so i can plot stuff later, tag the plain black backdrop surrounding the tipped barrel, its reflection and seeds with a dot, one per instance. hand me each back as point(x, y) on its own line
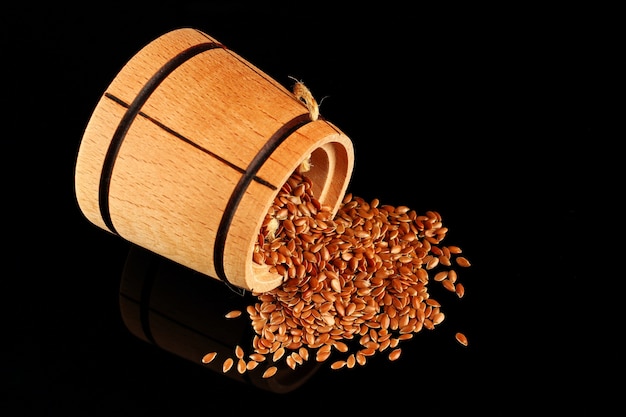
point(496, 118)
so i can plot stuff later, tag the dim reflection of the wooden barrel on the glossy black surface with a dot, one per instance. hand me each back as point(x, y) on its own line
point(183, 312)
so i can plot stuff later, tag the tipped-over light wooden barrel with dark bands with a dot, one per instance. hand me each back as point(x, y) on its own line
point(187, 149)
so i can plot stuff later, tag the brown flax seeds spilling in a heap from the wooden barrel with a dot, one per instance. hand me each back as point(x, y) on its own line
point(355, 282)
